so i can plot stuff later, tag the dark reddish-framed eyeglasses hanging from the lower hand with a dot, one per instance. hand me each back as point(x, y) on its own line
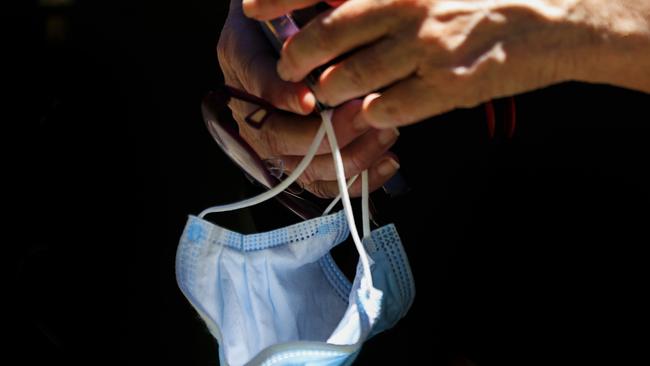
point(269, 172)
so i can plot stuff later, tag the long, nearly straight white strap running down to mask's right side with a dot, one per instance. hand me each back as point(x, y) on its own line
point(345, 197)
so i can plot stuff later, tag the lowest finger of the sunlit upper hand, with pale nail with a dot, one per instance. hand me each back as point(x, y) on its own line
point(406, 102)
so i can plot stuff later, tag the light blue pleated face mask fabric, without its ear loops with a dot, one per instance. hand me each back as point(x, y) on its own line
point(278, 298)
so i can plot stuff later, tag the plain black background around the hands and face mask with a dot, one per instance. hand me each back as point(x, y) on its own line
point(524, 251)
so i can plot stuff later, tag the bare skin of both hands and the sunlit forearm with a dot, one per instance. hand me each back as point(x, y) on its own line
point(428, 57)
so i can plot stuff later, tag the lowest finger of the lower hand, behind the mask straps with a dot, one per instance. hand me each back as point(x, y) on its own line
point(378, 174)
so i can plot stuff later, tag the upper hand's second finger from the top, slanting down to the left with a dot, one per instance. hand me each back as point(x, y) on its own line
point(333, 33)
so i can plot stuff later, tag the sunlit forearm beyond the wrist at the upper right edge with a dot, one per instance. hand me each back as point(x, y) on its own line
point(619, 53)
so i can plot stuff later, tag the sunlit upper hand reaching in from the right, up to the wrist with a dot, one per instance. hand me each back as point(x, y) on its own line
point(427, 57)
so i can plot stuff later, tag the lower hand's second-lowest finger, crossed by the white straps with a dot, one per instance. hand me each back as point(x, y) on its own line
point(357, 157)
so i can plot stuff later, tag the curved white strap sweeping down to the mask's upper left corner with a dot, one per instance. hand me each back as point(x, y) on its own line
point(280, 187)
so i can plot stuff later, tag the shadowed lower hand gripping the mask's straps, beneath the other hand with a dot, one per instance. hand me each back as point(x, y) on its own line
point(248, 63)
